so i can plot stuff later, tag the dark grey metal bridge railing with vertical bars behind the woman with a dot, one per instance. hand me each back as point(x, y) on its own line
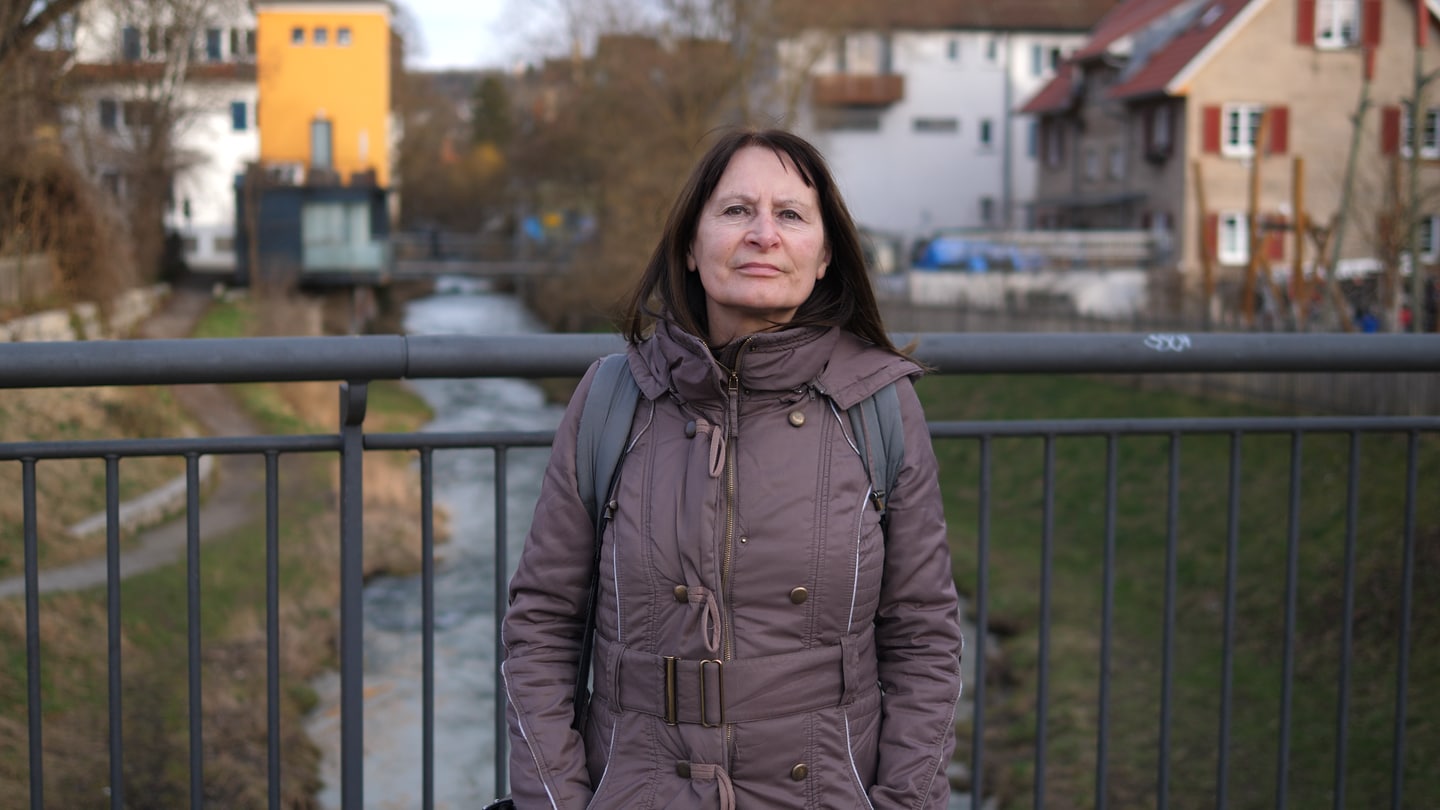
point(358, 361)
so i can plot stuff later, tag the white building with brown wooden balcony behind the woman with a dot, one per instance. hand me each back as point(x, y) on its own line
point(919, 117)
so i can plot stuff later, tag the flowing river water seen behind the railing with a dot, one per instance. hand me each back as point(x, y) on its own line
point(464, 584)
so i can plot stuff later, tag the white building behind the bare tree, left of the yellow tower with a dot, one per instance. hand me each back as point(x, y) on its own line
point(130, 66)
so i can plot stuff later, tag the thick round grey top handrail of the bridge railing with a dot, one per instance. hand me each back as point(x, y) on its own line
point(369, 358)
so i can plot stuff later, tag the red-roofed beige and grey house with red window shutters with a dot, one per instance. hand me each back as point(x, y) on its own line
point(1228, 122)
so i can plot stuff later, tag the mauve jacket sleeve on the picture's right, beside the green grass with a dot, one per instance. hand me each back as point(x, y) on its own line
point(918, 631)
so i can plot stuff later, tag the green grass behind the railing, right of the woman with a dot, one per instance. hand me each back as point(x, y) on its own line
point(1140, 543)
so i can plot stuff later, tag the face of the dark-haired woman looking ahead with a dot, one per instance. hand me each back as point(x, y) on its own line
point(760, 246)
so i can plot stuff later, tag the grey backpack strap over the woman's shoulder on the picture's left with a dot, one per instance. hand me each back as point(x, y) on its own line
point(606, 423)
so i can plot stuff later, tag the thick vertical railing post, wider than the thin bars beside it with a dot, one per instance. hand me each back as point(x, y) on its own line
point(352, 603)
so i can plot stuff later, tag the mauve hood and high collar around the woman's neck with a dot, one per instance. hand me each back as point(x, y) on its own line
point(829, 360)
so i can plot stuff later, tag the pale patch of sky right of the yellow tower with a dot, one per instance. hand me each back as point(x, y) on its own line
point(464, 34)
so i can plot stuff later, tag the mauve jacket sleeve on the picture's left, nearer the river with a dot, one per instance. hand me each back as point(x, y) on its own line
point(542, 635)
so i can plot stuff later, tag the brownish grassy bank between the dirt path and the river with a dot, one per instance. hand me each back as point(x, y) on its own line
point(233, 628)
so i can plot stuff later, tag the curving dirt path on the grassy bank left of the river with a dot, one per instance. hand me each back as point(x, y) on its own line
point(233, 505)
